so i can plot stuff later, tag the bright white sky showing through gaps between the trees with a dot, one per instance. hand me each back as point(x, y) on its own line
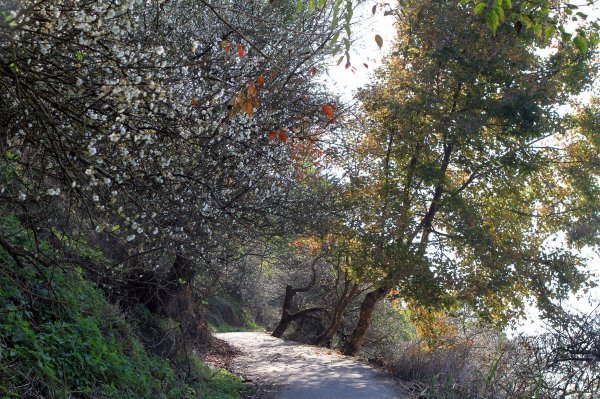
point(346, 81)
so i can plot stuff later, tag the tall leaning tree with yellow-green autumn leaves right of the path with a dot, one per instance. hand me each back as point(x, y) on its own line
point(464, 170)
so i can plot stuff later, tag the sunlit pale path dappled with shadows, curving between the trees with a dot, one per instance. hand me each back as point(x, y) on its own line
point(294, 371)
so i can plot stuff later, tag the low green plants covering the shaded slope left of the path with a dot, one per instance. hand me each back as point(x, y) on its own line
point(59, 336)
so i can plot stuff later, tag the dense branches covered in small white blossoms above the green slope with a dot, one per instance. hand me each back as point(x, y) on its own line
point(133, 131)
